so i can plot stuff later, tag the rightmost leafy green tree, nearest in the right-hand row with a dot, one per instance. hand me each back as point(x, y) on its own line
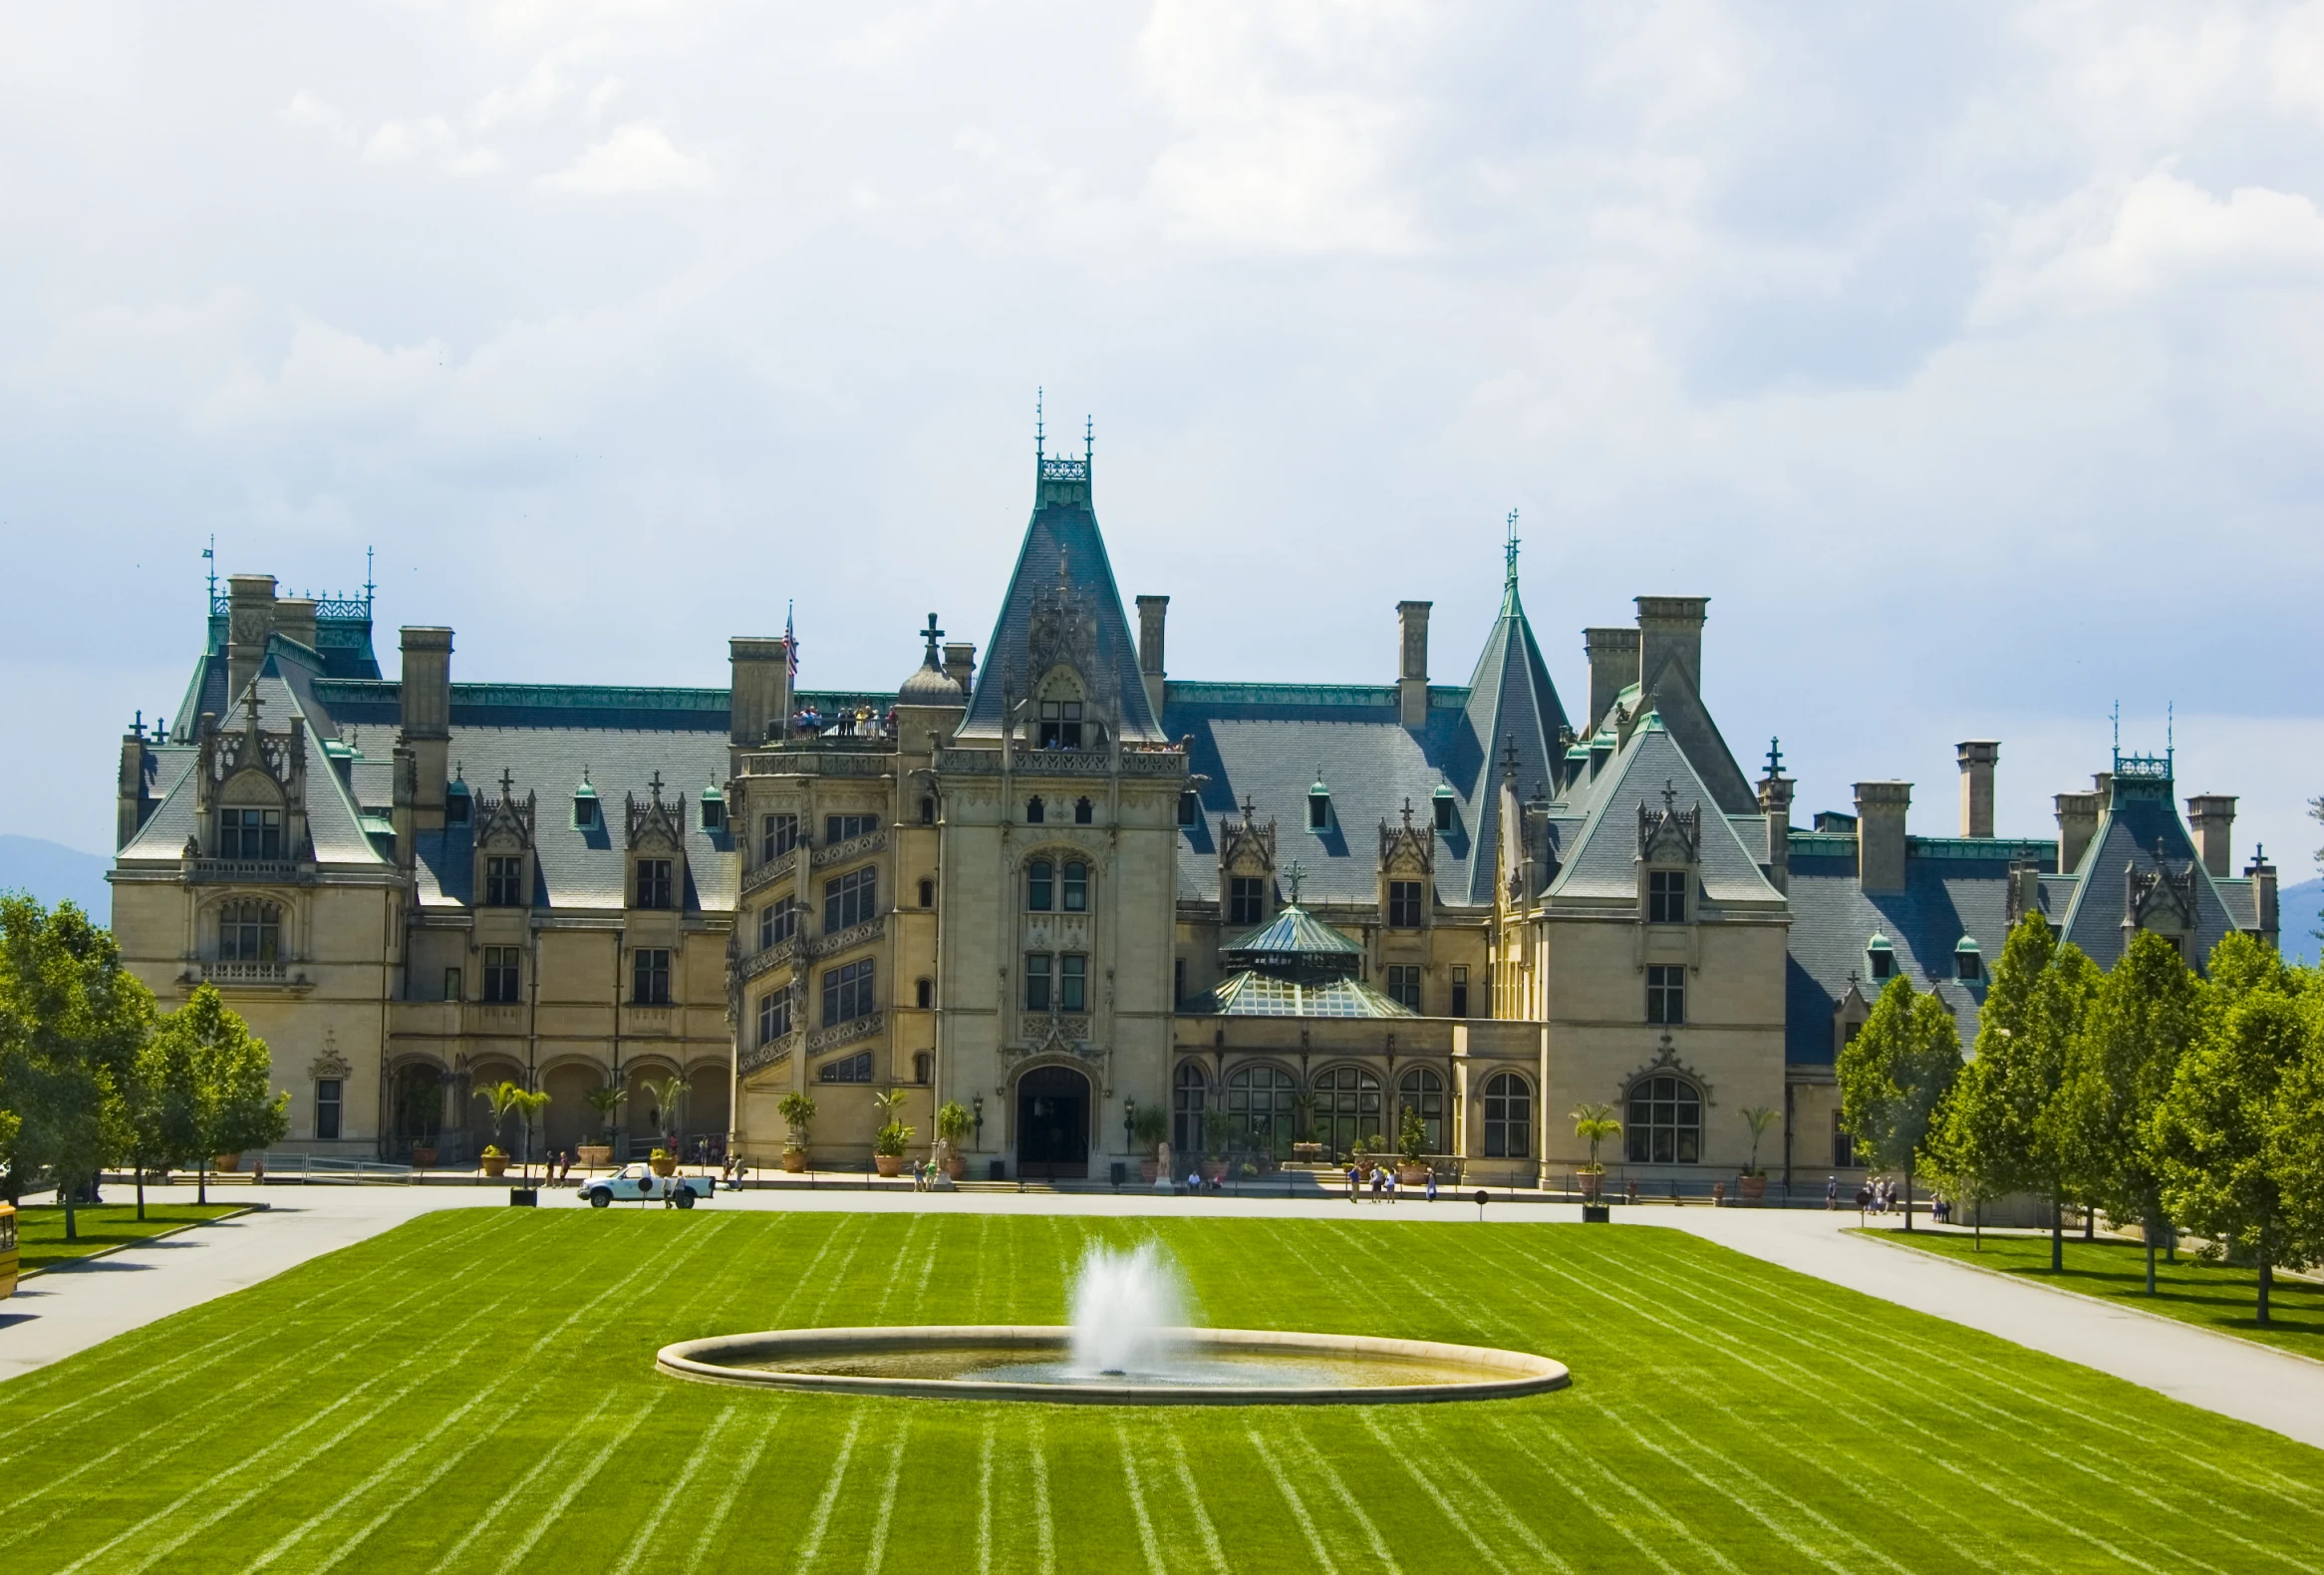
point(2221, 1128)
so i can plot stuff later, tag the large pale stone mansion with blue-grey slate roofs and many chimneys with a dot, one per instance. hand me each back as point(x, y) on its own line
point(1059, 886)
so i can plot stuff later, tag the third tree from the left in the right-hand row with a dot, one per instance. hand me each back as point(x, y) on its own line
point(2142, 1023)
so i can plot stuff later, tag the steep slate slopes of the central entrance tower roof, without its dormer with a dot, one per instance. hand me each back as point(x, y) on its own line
point(1063, 538)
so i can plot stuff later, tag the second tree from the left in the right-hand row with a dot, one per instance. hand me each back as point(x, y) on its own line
point(2004, 1128)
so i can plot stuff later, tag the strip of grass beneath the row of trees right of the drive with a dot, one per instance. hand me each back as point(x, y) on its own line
point(2211, 1295)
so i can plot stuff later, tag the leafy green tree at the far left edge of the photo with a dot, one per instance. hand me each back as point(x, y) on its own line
point(71, 1023)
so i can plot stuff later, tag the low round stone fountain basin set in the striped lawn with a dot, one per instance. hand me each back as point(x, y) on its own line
point(1205, 1367)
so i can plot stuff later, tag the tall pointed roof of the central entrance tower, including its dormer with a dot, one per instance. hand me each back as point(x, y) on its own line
point(1063, 638)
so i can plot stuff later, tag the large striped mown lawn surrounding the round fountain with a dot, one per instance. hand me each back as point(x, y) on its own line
point(475, 1393)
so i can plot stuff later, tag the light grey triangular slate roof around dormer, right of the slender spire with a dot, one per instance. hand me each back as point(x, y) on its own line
point(1600, 863)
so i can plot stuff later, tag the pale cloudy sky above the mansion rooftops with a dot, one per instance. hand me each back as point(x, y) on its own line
point(1972, 359)
